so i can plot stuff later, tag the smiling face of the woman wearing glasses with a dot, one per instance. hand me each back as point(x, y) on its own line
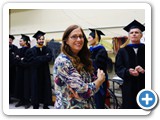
point(75, 40)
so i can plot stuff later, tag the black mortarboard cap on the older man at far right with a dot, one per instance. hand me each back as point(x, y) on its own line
point(134, 24)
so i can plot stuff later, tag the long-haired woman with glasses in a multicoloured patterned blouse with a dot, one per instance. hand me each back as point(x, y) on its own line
point(75, 83)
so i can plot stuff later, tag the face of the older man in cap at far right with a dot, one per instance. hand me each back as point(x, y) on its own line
point(135, 35)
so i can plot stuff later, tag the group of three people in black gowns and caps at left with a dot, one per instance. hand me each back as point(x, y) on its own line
point(29, 78)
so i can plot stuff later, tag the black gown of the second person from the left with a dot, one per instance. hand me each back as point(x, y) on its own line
point(22, 84)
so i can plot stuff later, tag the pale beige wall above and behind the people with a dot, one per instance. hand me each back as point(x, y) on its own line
point(54, 22)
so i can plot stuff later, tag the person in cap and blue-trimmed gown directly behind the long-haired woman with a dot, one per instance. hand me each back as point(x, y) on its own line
point(99, 58)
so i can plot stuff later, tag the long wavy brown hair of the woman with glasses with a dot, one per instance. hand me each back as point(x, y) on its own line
point(82, 60)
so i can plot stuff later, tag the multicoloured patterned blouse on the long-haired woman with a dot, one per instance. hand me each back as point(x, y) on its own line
point(64, 75)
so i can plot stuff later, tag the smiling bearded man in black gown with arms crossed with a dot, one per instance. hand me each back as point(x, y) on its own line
point(39, 57)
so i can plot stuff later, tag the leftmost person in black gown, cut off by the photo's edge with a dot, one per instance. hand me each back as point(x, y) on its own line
point(13, 50)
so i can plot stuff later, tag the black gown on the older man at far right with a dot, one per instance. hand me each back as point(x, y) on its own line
point(125, 59)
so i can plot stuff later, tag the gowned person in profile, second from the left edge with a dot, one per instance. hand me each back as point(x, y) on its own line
point(22, 84)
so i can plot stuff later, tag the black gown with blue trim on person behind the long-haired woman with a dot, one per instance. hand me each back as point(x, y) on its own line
point(99, 58)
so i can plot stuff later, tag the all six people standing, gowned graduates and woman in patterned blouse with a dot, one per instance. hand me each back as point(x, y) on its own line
point(79, 74)
